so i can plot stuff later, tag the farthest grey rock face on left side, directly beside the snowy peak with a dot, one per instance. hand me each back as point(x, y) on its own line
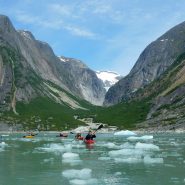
point(82, 80)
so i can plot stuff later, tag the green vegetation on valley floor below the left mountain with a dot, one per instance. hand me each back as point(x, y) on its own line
point(46, 113)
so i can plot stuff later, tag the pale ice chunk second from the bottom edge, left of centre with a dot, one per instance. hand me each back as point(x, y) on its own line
point(78, 174)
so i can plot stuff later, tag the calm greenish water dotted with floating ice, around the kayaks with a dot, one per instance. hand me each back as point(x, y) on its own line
point(120, 160)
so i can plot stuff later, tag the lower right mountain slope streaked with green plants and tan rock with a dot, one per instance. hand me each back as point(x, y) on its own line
point(166, 97)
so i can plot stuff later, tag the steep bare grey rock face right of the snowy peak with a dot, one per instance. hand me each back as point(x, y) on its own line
point(153, 62)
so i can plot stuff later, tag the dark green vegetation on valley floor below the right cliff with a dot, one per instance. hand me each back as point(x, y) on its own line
point(124, 115)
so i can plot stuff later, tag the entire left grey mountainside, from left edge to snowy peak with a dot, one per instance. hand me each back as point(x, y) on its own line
point(29, 68)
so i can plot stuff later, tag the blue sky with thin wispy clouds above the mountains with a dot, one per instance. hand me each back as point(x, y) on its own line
point(104, 34)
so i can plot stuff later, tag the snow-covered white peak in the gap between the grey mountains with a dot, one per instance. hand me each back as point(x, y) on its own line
point(109, 78)
